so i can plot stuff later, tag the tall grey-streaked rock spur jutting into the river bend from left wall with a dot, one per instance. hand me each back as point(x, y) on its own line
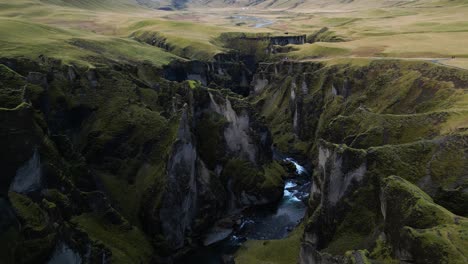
point(199, 191)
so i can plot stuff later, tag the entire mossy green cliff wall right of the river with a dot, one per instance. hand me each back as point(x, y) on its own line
point(360, 124)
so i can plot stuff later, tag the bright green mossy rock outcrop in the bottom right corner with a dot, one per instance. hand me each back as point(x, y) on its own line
point(417, 229)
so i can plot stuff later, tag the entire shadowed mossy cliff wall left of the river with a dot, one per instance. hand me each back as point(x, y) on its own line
point(116, 163)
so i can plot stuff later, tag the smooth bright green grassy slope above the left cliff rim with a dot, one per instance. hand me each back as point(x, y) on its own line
point(30, 40)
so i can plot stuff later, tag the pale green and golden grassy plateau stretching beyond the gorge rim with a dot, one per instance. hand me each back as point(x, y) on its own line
point(429, 30)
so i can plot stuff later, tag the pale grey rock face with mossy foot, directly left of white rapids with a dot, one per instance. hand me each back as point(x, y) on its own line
point(248, 150)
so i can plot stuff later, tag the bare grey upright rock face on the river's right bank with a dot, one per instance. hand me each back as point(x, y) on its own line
point(341, 170)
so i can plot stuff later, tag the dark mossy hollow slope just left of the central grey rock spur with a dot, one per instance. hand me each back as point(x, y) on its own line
point(129, 143)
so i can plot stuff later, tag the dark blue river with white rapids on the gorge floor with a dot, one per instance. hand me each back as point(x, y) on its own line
point(258, 223)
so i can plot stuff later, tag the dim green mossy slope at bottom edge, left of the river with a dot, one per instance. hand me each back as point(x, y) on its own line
point(127, 245)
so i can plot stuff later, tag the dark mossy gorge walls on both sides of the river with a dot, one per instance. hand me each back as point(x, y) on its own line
point(130, 163)
